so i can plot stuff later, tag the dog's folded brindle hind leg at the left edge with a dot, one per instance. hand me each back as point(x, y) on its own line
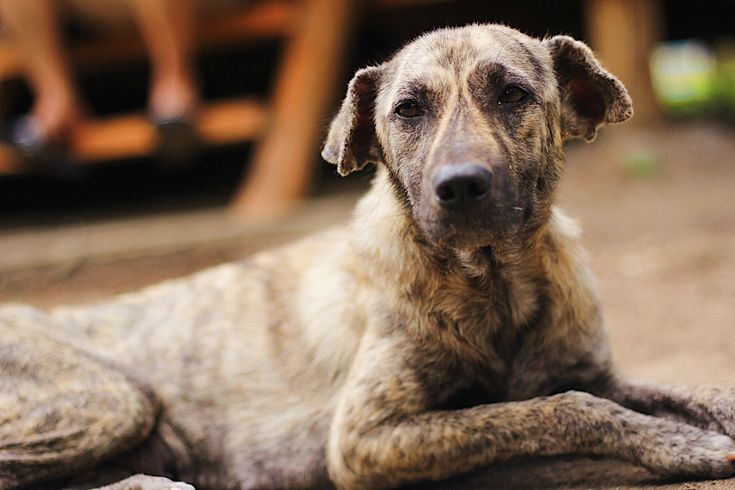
point(62, 410)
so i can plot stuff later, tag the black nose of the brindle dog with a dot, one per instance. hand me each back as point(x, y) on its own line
point(462, 183)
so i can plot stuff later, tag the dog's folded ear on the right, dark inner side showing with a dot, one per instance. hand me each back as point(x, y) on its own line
point(590, 96)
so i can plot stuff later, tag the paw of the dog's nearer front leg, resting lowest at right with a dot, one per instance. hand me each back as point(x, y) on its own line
point(691, 452)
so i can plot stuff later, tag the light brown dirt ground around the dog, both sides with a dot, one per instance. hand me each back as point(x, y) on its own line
point(658, 211)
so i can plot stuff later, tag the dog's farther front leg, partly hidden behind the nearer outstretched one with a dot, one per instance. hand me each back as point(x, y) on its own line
point(707, 407)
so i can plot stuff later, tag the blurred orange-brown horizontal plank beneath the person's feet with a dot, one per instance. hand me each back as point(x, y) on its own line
point(133, 135)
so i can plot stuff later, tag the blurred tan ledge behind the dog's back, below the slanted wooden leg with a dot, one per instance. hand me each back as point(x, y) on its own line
point(137, 251)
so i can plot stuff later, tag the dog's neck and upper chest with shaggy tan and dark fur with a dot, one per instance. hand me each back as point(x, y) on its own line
point(502, 293)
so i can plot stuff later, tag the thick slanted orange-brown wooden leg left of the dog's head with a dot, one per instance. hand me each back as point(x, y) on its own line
point(282, 165)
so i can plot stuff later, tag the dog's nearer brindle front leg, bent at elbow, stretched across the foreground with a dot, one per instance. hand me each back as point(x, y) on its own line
point(385, 432)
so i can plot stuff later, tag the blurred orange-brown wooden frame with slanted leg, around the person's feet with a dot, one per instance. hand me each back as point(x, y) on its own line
point(288, 129)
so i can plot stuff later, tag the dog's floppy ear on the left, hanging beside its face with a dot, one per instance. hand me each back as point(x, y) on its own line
point(351, 143)
